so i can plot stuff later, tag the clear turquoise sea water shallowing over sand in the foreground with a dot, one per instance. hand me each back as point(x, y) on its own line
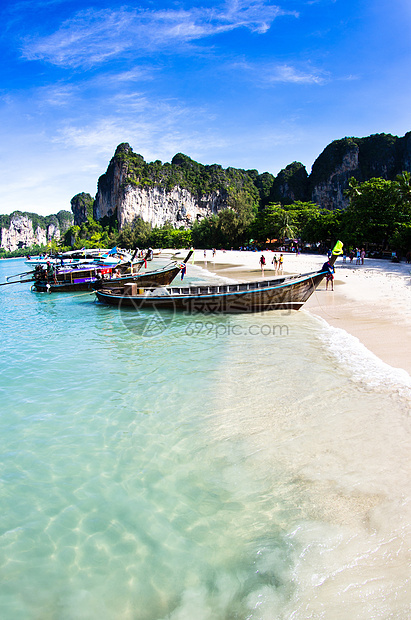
point(207, 468)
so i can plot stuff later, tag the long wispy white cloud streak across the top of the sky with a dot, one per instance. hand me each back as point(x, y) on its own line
point(92, 37)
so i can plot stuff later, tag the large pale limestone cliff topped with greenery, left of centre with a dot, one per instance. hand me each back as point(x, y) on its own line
point(181, 192)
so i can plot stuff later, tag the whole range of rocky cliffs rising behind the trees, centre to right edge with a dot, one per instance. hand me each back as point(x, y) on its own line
point(185, 191)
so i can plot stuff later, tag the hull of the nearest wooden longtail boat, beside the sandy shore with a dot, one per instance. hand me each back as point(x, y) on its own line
point(280, 294)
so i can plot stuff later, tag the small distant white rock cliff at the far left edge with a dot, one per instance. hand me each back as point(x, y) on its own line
point(23, 230)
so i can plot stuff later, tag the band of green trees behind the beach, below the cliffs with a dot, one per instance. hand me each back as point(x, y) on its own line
point(378, 218)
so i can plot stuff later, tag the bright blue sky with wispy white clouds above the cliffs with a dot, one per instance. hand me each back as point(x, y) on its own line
point(244, 84)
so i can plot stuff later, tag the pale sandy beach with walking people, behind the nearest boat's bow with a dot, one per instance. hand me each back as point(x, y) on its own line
point(371, 301)
